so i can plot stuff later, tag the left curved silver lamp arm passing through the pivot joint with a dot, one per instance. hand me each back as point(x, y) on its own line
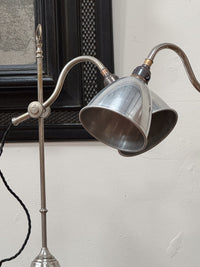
point(104, 71)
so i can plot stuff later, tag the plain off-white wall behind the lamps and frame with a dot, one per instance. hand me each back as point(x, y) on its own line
point(106, 210)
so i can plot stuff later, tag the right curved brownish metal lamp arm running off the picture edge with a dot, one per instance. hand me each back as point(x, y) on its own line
point(182, 55)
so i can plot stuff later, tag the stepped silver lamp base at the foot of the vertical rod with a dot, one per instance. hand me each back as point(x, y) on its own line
point(45, 259)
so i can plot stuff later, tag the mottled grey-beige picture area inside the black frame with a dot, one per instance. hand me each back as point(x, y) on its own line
point(17, 26)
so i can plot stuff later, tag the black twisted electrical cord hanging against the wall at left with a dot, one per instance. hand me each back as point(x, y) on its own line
point(18, 199)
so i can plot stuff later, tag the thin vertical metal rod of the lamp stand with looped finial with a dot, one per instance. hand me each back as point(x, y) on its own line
point(43, 209)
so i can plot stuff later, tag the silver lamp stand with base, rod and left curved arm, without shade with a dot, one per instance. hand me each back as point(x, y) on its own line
point(40, 110)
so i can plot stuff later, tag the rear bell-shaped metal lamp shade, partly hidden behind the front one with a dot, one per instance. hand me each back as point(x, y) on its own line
point(162, 123)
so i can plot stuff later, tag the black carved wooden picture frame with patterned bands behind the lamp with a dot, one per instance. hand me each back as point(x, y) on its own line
point(70, 28)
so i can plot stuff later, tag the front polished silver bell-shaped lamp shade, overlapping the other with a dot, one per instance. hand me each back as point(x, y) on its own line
point(120, 115)
